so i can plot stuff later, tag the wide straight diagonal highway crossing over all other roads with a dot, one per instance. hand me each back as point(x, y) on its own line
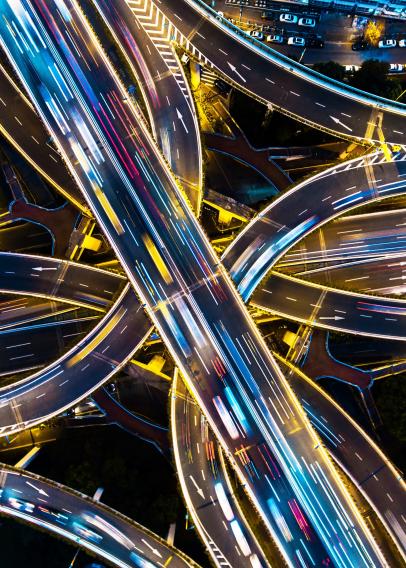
point(135, 180)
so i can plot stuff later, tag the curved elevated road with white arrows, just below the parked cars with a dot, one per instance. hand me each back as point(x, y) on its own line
point(191, 17)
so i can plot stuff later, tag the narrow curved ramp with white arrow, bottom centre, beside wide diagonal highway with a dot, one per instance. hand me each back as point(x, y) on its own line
point(208, 515)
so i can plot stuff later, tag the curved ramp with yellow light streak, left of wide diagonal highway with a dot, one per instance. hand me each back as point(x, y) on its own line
point(61, 385)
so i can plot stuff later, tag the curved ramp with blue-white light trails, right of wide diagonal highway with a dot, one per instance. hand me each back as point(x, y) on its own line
point(271, 233)
